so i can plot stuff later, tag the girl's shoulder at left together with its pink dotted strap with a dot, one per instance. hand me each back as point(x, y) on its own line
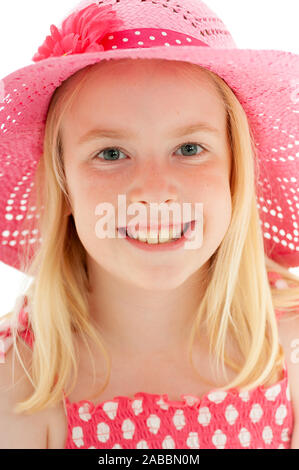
point(18, 430)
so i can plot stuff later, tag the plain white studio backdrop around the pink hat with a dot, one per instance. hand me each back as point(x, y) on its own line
point(253, 24)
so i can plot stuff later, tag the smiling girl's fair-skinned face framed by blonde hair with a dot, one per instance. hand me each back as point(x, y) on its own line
point(150, 166)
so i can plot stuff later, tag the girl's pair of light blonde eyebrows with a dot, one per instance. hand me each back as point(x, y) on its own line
point(122, 133)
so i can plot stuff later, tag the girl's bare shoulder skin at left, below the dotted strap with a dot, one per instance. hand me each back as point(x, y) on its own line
point(19, 430)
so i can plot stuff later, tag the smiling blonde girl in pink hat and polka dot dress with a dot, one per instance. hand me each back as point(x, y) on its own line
point(117, 343)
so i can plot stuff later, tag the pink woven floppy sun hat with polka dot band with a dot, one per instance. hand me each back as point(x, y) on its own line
point(264, 81)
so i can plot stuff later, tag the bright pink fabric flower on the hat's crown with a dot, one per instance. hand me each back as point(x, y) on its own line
point(82, 31)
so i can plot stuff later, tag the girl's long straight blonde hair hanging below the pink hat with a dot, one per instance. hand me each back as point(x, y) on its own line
point(238, 300)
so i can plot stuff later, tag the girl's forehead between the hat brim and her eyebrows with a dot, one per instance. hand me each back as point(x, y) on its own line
point(148, 91)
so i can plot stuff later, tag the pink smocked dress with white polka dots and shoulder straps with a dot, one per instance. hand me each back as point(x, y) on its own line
point(259, 419)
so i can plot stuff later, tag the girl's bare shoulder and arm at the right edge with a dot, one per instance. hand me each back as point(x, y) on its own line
point(288, 328)
